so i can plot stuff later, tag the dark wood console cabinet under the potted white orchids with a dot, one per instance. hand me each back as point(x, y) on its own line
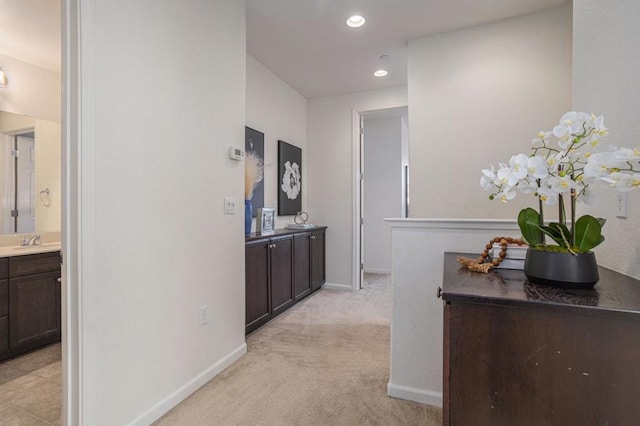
point(517, 353)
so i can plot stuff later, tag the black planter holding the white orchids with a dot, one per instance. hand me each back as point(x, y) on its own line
point(564, 270)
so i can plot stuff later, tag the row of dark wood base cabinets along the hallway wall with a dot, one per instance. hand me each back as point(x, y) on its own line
point(281, 269)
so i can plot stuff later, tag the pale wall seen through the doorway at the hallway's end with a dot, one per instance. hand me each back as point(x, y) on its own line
point(382, 189)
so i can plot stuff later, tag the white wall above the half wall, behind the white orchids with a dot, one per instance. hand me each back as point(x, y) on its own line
point(478, 96)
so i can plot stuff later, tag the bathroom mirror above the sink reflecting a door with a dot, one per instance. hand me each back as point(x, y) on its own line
point(30, 174)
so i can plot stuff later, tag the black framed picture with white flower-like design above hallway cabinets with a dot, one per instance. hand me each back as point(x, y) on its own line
point(289, 179)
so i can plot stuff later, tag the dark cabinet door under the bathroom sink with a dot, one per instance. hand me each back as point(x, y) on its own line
point(34, 310)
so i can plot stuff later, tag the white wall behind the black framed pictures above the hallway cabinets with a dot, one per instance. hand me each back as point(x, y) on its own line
point(278, 111)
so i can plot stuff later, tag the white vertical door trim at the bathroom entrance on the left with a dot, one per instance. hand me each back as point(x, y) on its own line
point(77, 255)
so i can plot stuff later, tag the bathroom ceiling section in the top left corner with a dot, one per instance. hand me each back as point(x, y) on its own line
point(30, 31)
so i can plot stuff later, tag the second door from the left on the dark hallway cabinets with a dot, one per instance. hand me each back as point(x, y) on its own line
point(281, 274)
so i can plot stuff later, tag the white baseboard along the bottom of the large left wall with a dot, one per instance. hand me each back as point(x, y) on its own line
point(162, 407)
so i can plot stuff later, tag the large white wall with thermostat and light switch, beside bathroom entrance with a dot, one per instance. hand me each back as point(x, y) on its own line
point(162, 96)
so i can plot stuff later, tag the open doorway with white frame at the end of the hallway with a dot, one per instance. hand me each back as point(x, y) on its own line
point(381, 189)
